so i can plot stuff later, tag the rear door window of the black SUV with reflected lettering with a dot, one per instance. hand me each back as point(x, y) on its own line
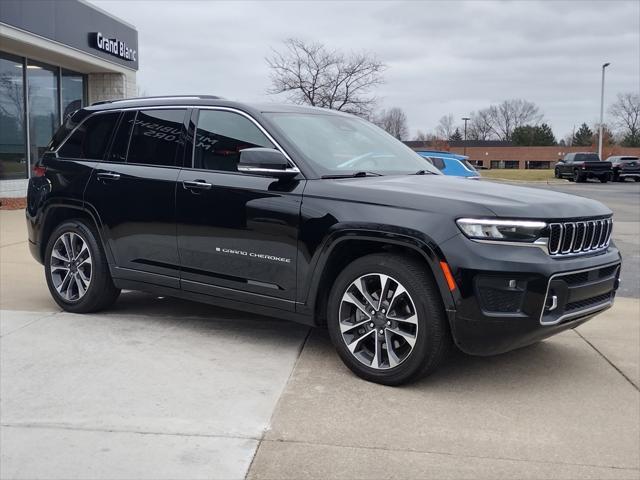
point(156, 137)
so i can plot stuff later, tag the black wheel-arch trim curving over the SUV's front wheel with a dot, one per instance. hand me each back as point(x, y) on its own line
point(387, 235)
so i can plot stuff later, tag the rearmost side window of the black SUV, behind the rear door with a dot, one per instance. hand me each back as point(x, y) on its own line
point(91, 139)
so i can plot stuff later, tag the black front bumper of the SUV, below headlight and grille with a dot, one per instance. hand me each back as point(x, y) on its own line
point(512, 296)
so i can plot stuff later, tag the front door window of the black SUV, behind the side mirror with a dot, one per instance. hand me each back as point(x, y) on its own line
point(220, 136)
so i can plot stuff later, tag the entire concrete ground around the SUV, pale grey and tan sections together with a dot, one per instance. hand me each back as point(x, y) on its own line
point(163, 388)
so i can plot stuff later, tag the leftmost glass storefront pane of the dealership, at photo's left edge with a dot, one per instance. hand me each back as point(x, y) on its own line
point(13, 152)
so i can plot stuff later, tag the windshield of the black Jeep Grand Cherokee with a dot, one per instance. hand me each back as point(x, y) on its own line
point(336, 144)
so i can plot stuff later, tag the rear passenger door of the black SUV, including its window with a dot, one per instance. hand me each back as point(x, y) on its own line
point(133, 193)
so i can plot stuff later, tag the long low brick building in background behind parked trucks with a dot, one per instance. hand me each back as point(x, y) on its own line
point(534, 154)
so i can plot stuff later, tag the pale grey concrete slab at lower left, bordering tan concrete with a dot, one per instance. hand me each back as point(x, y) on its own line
point(129, 396)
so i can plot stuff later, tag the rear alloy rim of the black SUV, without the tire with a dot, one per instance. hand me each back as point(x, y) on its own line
point(71, 266)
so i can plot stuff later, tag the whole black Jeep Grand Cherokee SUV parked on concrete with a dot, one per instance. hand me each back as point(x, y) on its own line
point(314, 216)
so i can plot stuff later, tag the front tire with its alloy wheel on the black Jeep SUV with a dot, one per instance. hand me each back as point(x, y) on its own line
point(422, 321)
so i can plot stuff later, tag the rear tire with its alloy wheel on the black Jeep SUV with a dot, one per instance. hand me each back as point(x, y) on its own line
point(85, 269)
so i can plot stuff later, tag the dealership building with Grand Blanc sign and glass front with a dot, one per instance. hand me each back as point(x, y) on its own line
point(55, 57)
